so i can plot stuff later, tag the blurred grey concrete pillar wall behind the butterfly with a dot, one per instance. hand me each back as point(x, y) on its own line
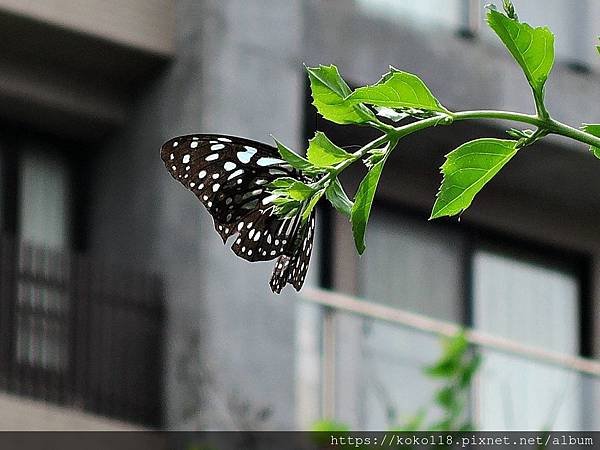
point(228, 77)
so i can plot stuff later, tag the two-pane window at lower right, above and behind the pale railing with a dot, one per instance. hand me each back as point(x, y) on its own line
point(450, 273)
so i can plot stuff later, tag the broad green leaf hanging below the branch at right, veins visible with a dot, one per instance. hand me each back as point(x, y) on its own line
point(467, 169)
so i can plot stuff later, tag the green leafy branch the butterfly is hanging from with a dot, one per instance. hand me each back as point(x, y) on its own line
point(398, 96)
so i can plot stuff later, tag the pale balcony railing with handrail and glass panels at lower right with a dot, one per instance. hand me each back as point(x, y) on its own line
point(372, 356)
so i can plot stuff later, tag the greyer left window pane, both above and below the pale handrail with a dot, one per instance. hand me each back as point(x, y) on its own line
point(411, 265)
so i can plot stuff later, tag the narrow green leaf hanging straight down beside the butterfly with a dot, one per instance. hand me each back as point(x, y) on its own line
point(363, 201)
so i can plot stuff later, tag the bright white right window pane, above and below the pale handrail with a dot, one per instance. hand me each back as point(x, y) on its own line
point(534, 305)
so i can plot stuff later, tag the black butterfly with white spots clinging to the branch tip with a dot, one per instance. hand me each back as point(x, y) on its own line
point(230, 176)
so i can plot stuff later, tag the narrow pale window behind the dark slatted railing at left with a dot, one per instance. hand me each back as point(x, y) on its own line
point(42, 290)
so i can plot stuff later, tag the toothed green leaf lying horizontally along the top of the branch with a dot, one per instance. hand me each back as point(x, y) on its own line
point(398, 89)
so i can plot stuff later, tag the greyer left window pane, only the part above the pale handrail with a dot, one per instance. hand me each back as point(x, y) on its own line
point(413, 265)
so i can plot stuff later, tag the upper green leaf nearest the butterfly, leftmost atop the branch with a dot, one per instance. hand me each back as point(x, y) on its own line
point(329, 92)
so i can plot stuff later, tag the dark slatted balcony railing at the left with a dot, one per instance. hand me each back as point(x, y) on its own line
point(79, 333)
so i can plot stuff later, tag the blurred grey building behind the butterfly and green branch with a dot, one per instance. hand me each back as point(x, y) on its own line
point(121, 309)
